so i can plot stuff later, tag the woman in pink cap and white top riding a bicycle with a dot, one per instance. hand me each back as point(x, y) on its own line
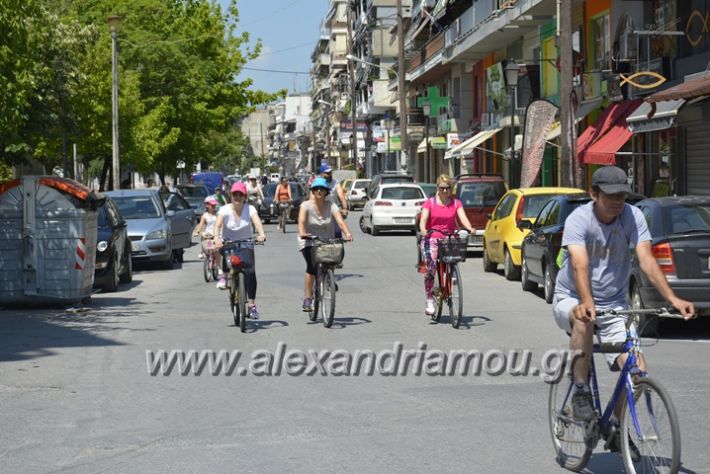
point(234, 222)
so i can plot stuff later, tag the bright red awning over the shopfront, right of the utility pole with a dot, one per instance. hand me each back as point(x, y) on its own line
point(612, 121)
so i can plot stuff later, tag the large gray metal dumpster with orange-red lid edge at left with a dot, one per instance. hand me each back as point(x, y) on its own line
point(47, 241)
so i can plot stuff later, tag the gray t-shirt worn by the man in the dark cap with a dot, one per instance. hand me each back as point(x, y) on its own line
point(608, 249)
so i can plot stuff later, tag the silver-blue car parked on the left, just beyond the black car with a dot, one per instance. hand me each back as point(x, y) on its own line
point(158, 232)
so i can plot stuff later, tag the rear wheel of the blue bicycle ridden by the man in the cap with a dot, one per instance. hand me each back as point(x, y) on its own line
point(568, 435)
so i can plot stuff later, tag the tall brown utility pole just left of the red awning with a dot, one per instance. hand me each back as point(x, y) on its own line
point(568, 156)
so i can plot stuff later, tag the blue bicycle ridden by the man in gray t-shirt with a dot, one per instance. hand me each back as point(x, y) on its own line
point(649, 430)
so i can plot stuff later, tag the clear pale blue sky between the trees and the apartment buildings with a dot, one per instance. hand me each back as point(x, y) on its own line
point(288, 30)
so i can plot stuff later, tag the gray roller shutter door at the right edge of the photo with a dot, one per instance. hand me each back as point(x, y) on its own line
point(698, 157)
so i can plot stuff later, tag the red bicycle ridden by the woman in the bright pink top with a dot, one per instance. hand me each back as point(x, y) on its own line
point(448, 286)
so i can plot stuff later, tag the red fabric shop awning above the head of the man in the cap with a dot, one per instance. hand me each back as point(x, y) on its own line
point(613, 117)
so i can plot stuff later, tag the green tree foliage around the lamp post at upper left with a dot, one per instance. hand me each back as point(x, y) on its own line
point(179, 99)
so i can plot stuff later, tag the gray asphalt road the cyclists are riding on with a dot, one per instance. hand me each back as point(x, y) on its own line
point(76, 394)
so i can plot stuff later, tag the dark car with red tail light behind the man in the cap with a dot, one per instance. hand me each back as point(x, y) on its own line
point(680, 241)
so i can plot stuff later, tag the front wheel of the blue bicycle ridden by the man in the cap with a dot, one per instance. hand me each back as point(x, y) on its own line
point(658, 438)
